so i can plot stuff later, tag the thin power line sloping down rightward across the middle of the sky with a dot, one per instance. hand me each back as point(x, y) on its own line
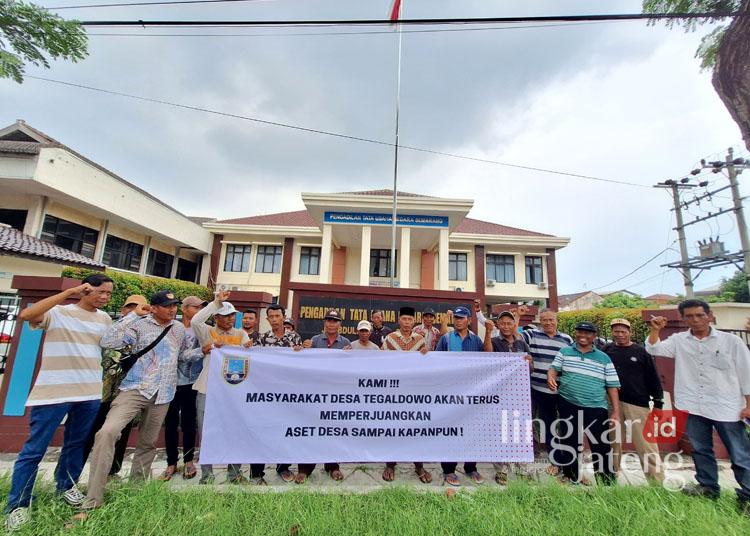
point(333, 134)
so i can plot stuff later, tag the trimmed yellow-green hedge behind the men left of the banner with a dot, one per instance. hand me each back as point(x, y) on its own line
point(128, 284)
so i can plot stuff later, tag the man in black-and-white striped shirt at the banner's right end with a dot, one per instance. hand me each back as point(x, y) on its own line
point(543, 347)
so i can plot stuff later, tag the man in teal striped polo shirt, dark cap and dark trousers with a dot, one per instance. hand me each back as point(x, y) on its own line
point(587, 378)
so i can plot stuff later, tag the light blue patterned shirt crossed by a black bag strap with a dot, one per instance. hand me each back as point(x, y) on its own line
point(155, 373)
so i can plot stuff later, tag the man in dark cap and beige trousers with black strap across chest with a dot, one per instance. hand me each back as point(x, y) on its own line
point(147, 389)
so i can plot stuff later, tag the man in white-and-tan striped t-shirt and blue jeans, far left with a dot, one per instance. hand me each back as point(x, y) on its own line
point(68, 387)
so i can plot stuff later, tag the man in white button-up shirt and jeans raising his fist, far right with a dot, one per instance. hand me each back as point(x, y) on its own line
point(712, 383)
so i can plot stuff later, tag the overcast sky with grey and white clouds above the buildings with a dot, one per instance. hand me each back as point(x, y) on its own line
point(622, 101)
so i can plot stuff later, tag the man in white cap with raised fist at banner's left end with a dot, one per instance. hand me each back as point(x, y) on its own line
point(223, 334)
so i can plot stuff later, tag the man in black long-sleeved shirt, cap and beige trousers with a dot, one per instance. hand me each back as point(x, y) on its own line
point(640, 386)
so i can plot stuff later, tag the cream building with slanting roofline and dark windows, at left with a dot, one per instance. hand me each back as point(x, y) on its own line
point(53, 194)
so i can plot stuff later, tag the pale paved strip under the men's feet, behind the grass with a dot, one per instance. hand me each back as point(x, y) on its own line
point(363, 478)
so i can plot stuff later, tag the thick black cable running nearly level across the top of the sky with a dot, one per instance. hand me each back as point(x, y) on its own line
point(409, 22)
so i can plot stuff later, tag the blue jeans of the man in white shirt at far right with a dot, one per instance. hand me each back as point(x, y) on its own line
point(734, 437)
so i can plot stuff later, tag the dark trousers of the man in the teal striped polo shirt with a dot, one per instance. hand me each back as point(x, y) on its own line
point(568, 442)
